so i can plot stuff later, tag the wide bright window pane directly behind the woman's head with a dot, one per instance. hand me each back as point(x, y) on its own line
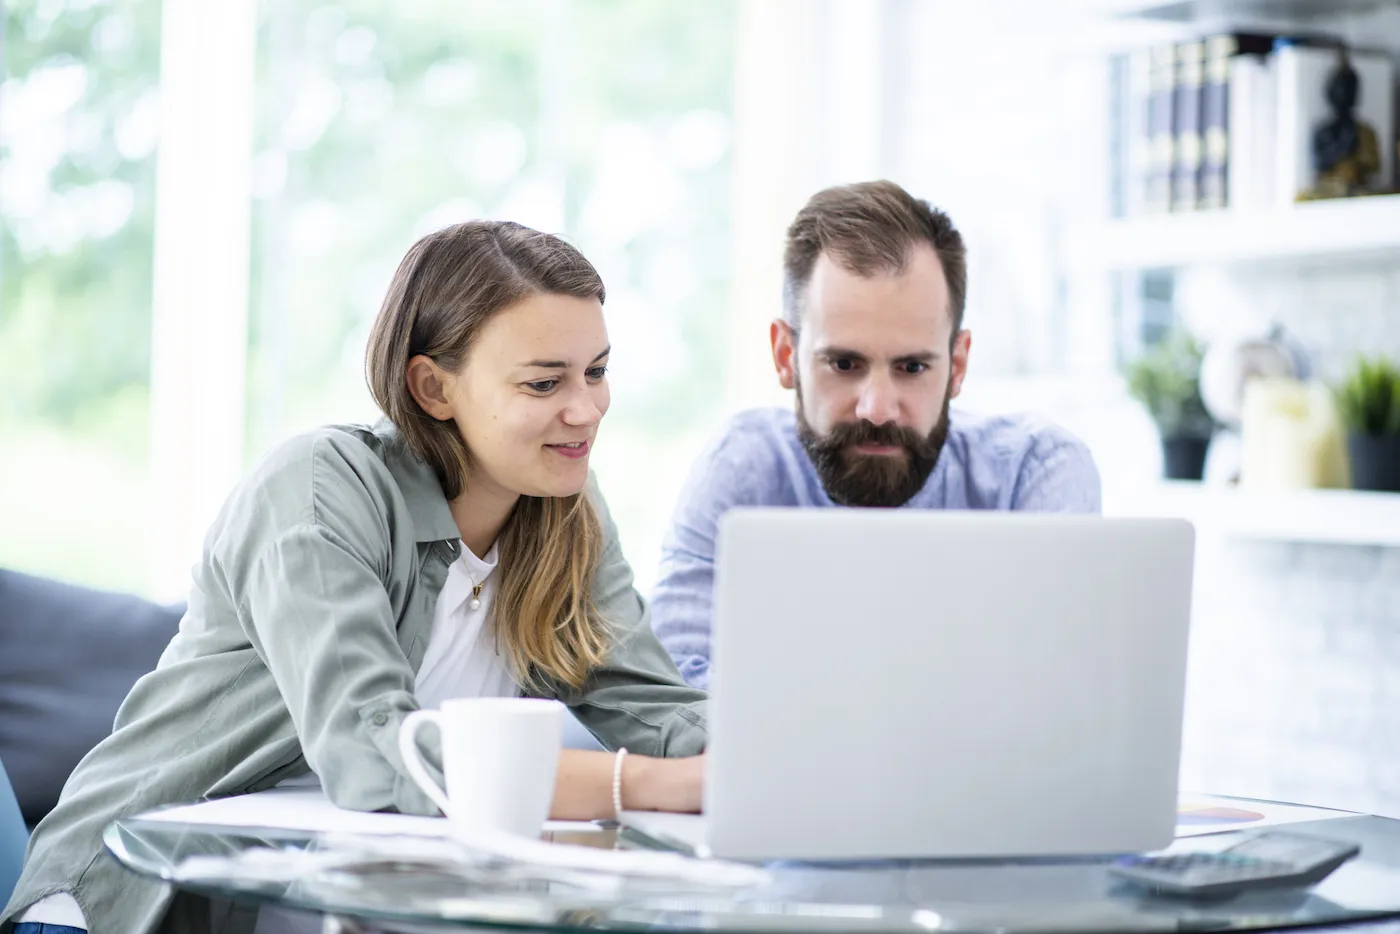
point(601, 120)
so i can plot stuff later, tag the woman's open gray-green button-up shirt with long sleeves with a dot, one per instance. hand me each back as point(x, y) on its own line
point(309, 618)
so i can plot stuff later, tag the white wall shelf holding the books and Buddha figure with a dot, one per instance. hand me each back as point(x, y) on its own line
point(1357, 226)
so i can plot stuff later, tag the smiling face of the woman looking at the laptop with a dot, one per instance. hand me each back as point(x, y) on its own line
point(531, 396)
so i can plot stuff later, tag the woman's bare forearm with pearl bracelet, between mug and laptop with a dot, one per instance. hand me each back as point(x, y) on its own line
point(583, 790)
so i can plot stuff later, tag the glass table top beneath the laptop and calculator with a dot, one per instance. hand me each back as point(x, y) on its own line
point(416, 883)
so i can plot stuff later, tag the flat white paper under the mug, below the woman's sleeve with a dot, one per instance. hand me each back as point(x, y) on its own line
point(310, 810)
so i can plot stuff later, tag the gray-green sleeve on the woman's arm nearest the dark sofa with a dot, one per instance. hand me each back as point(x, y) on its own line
point(309, 569)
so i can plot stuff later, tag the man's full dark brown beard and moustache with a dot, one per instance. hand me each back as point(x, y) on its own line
point(873, 480)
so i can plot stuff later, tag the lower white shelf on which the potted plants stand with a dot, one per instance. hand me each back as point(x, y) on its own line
point(1340, 517)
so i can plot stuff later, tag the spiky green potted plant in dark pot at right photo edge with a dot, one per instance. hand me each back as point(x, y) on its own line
point(1368, 401)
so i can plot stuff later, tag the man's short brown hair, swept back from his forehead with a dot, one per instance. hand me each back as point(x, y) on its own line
point(869, 229)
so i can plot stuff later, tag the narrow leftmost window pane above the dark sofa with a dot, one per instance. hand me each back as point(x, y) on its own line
point(79, 127)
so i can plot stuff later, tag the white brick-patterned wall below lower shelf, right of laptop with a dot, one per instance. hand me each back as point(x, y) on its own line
point(1296, 674)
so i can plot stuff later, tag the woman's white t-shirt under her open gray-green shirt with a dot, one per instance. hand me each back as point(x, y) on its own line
point(461, 662)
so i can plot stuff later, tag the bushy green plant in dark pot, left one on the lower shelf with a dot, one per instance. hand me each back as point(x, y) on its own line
point(1167, 380)
